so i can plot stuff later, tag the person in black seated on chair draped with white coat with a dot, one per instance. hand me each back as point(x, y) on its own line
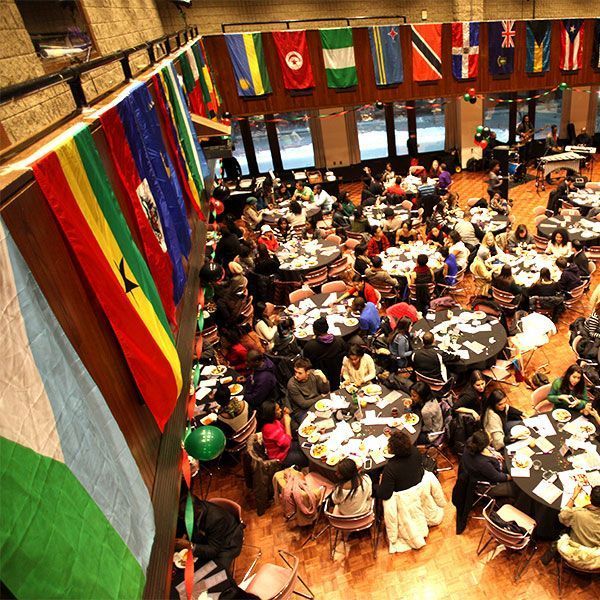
point(403, 471)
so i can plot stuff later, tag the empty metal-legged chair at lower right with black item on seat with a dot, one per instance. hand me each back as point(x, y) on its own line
point(519, 542)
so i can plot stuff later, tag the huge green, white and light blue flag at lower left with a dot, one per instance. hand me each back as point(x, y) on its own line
point(77, 520)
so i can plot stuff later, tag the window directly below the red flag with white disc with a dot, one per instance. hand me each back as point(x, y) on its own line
point(295, 140)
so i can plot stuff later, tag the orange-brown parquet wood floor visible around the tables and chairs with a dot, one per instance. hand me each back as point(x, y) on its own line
point(447, 567)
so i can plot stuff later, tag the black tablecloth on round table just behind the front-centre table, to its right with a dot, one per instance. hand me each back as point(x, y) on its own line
point(488, 356)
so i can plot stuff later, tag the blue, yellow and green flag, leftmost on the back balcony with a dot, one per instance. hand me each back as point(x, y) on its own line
point(249, 65)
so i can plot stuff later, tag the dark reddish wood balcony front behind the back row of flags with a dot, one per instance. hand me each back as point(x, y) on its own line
point(366, 92)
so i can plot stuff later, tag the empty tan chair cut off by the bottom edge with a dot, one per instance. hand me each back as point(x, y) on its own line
point(274, 582)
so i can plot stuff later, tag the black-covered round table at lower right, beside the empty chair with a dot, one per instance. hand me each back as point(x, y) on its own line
point(545, 514)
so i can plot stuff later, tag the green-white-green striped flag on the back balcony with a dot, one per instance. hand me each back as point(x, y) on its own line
point(338, 56)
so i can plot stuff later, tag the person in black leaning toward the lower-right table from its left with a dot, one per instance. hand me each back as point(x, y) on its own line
point(483, 463)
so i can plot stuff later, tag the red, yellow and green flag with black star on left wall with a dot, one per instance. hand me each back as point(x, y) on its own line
point(72, 178)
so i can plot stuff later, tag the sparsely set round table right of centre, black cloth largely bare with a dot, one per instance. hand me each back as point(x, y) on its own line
point(491, 349)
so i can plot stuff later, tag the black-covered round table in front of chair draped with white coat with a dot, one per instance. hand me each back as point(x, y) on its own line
point(366, 431)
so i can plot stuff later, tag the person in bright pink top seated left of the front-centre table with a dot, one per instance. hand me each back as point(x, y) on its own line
point(277, 436)
